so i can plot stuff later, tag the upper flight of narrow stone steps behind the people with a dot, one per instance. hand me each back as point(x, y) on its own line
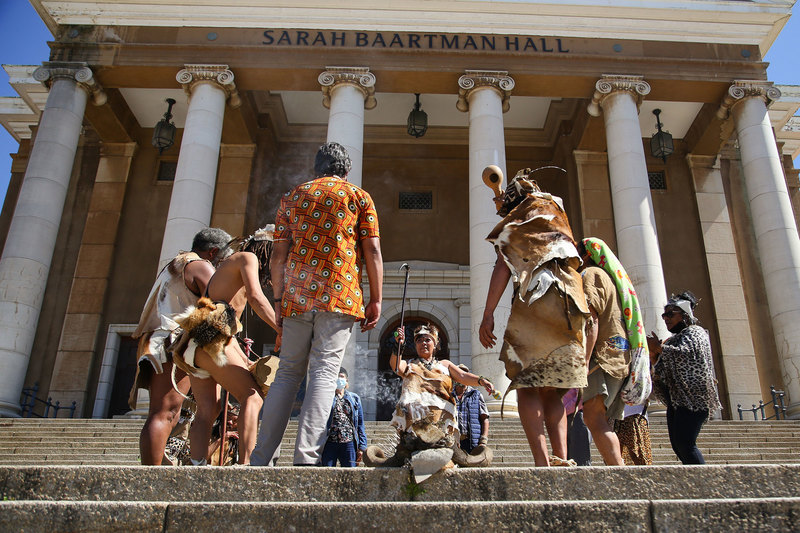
point(31, 442)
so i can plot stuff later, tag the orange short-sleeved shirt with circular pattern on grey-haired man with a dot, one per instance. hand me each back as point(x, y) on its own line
point(324, 220)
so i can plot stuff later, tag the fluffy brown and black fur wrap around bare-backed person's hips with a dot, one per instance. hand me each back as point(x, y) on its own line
point(208, 325)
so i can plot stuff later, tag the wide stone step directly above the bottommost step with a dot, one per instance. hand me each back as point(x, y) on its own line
point(317, 484)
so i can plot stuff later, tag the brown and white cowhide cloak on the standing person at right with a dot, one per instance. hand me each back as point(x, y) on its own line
point(544, 342)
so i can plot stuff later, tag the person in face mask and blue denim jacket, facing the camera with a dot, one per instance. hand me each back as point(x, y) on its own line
point(347, 437)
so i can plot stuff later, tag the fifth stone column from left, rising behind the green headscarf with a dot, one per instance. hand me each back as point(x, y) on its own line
point(618, 97)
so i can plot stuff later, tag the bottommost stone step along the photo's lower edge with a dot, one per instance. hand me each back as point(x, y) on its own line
point(771, 514)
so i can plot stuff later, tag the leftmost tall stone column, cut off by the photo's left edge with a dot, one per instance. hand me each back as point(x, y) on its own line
point(28, 251)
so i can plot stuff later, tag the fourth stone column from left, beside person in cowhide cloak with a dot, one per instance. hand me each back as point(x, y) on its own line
point(485, 95)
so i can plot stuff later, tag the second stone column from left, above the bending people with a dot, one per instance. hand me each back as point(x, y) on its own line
point(208, 87)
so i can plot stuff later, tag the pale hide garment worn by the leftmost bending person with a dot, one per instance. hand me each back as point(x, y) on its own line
point(168, 297)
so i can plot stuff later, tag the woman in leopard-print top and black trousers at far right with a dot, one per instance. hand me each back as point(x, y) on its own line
point(683, 376)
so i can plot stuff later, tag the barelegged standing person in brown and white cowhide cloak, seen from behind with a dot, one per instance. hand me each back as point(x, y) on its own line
point(543, 345)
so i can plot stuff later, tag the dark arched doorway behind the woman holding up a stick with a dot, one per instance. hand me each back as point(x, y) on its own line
point(389, 384)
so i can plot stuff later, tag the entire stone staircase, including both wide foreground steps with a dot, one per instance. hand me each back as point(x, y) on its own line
point(751, 484)
